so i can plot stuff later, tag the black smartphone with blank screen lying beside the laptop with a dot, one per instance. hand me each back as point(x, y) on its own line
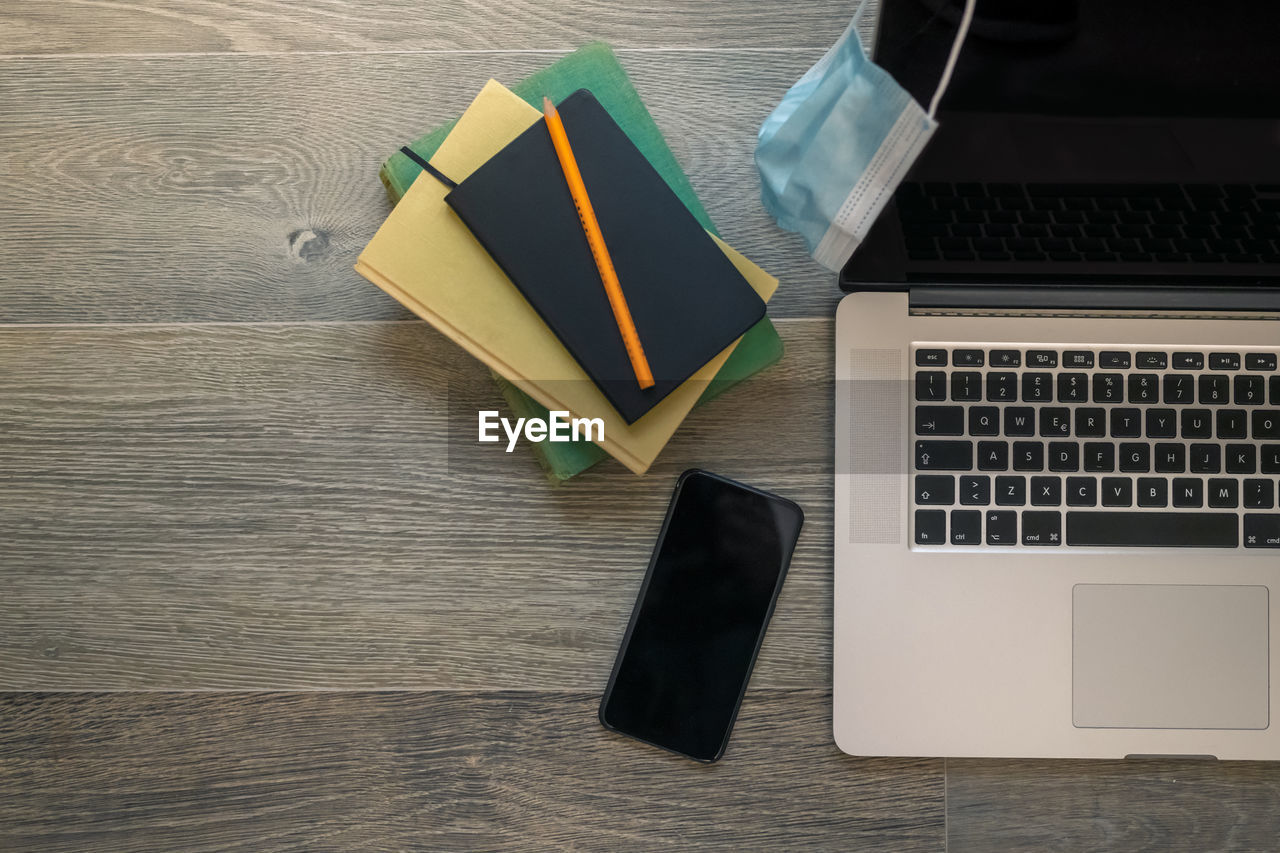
point(701, 615)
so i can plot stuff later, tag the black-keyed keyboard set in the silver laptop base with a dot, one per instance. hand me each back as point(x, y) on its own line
point(1107, 448)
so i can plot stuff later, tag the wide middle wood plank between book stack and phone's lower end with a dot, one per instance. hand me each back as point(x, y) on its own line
point(281, 507)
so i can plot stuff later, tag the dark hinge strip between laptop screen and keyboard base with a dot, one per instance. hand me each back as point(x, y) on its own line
point(1092, 299)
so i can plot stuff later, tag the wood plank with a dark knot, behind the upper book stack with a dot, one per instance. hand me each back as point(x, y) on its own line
point(244, 188)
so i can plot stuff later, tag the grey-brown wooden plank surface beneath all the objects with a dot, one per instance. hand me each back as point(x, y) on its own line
point(255, 599)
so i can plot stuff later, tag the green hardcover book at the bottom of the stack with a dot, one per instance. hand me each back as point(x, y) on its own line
point(597, 69)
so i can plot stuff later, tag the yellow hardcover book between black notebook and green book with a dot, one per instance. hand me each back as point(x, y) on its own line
point(428, 261)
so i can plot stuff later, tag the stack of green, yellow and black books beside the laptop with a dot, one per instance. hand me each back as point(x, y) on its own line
point(486, 244)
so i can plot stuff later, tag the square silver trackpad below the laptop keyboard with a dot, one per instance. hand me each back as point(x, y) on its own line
point(1171, 658)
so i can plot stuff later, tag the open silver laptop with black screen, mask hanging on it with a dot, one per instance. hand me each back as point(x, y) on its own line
point(1058, 399)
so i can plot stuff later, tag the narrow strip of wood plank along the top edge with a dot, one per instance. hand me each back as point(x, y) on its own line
point(221, 26)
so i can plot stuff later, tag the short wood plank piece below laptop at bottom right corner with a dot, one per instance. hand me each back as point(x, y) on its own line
point(1135, 806)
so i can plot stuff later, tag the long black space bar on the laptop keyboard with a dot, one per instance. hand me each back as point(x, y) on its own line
point(1154, 530)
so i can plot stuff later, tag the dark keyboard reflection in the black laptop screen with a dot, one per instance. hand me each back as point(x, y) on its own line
point(1100, 223)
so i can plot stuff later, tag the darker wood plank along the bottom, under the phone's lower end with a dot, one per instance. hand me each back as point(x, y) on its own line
point(437, 772)
